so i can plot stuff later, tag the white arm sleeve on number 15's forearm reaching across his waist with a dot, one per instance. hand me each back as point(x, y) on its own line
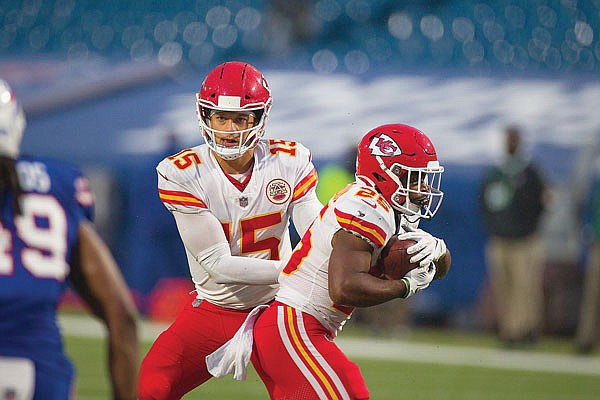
point(203, 237)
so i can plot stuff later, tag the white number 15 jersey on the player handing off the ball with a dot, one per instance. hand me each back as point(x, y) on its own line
point(255, 220)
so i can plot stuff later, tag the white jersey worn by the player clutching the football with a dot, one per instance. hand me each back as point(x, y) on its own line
point(304, 281)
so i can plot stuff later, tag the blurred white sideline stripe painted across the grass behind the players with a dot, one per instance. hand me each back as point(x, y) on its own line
point(389, 349)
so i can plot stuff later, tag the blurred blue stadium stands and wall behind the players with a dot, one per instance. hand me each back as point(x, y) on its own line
point(110, 87)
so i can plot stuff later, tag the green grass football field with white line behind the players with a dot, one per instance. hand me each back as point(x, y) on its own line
point(456, 366)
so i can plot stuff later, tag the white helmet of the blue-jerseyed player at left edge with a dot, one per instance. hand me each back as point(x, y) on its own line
point(12, 122)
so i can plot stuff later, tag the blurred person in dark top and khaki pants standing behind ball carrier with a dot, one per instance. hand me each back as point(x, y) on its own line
point(512, 199)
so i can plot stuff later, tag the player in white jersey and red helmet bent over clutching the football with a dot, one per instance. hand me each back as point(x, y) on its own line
point(398, 177)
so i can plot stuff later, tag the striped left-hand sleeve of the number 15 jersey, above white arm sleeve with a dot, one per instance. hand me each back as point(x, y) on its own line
point(179, 189)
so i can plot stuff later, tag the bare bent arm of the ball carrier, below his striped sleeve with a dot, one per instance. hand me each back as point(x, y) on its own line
point(350, 283)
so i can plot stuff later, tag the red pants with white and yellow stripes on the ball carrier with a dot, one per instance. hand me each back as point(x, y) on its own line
point(296, 358)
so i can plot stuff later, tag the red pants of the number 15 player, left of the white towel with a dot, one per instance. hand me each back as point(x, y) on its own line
point(175, 364)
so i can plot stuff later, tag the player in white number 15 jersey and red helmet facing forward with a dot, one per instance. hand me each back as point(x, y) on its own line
point(232, 198)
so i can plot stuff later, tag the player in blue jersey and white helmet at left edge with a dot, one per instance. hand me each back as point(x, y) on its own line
point(47, 239)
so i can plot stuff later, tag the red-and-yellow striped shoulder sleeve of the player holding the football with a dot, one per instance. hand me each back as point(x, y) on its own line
point(362, 215)
